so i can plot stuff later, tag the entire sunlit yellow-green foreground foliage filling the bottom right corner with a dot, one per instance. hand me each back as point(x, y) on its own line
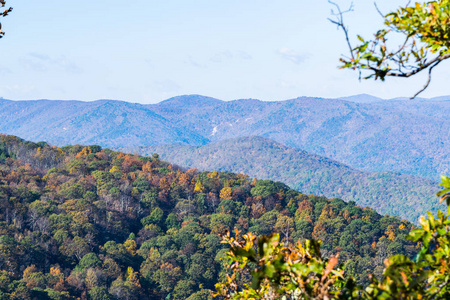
point(278, 271)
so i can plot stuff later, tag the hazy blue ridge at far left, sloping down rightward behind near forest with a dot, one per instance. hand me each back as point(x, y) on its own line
point(103, 122)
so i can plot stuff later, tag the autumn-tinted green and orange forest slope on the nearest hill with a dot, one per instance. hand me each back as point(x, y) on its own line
point(82, 222)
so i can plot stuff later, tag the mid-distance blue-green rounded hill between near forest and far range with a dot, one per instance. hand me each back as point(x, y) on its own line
point(389, 193)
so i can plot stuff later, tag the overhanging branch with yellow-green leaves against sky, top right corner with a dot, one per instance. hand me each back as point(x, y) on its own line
point(423, 28)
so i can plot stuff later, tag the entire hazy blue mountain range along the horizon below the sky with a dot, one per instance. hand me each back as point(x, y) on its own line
point(399, 135)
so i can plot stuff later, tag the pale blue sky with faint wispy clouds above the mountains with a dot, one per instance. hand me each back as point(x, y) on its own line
point(147, 51)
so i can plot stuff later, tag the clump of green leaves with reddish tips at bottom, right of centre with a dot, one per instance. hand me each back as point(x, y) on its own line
point(278, 271)
